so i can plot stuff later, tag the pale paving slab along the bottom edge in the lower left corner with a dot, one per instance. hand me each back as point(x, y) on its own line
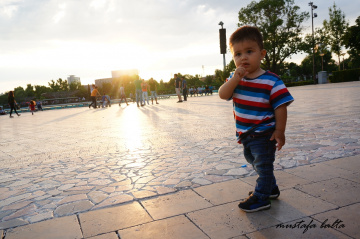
point(48, 229)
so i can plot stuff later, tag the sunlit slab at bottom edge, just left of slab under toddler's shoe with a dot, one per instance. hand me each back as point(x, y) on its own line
point(171, 228)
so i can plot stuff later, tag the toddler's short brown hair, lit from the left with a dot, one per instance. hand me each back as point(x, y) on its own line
point(246, 33)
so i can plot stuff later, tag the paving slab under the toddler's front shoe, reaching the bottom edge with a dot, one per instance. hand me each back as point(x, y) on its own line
point(230, 221)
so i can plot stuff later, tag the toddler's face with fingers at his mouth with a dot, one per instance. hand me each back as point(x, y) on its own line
point(248, 54)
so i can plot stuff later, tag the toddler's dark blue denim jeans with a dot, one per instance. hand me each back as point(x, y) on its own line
point(260, 153)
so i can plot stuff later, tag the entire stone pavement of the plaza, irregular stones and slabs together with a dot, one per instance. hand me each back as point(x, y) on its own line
point(175, 171)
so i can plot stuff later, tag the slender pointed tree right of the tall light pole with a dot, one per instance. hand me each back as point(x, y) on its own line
point(335, 29)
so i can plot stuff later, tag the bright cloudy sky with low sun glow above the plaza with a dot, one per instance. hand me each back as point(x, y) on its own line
point(43, 40)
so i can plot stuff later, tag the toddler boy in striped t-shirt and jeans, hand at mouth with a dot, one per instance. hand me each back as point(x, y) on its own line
point(260, 118)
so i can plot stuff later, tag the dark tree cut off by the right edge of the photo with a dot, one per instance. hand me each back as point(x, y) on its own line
point(352, 41)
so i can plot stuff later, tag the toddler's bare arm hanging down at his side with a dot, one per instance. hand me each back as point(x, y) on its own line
point(279, 133)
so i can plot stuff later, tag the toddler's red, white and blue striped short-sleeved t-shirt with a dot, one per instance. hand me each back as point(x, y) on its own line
point(255, 101)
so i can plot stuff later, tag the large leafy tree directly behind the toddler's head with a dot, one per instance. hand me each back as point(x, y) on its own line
point(279, 21)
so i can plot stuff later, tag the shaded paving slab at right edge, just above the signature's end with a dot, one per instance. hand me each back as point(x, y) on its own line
point(338, 191)
